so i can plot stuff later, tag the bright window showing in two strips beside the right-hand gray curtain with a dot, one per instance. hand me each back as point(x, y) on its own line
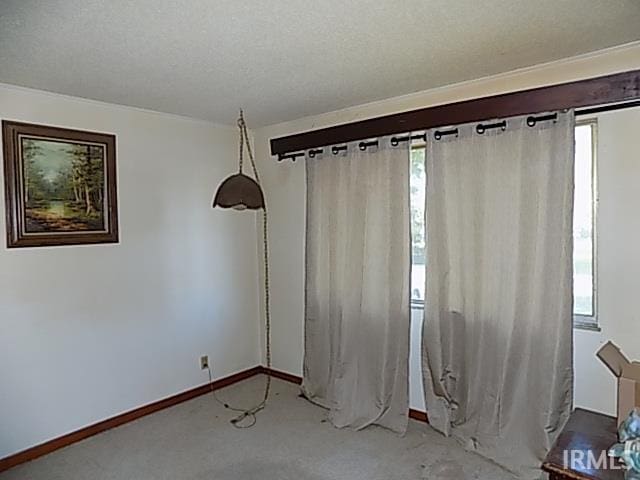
point(583, 226)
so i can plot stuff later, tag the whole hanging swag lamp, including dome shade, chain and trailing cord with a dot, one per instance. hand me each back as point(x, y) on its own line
point(241, 192)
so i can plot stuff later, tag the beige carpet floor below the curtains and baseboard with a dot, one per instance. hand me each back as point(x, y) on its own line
point(291, 441)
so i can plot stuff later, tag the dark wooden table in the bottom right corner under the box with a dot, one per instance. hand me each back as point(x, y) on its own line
point(585, 432)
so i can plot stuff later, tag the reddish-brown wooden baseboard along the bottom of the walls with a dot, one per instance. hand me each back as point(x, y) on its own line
point(70, 438)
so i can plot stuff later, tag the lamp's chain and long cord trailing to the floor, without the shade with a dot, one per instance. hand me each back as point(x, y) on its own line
point(250, 414)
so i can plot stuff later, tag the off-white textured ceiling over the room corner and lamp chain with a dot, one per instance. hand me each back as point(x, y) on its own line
point(284, 59)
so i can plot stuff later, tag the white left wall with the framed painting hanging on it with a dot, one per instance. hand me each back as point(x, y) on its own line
point(91, 331)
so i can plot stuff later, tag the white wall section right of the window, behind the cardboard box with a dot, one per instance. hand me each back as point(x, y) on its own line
point(618, 263)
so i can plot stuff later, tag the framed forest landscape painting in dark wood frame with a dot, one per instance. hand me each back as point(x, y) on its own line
point(60, 186)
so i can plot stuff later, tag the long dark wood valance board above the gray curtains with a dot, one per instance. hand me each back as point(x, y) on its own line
point(610, 89)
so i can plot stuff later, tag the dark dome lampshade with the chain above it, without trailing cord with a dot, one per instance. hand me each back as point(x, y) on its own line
point(240, 191)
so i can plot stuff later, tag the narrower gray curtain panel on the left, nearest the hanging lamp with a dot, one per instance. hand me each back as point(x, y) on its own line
point(357, 286)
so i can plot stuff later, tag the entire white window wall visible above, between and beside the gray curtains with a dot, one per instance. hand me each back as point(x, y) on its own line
point(619, 224)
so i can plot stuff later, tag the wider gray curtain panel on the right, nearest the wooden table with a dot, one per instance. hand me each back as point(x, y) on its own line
point(497, 336)
